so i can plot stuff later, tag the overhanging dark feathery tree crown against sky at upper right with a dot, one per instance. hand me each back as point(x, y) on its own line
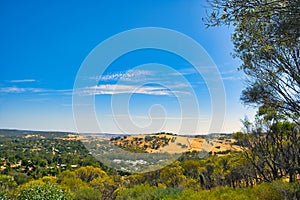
point(266, 39)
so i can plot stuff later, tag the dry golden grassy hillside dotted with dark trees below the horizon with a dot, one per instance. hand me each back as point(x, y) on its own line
point(170, 143)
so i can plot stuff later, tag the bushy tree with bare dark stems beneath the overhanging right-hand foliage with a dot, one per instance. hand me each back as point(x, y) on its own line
point(272, 145)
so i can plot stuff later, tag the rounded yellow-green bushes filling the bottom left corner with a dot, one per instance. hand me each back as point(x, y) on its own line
point(83, 183)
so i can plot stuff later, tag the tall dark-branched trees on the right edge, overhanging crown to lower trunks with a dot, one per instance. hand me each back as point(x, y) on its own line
point(266, 39)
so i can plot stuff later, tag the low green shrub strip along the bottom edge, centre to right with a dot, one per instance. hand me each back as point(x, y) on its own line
point(277, 190)
